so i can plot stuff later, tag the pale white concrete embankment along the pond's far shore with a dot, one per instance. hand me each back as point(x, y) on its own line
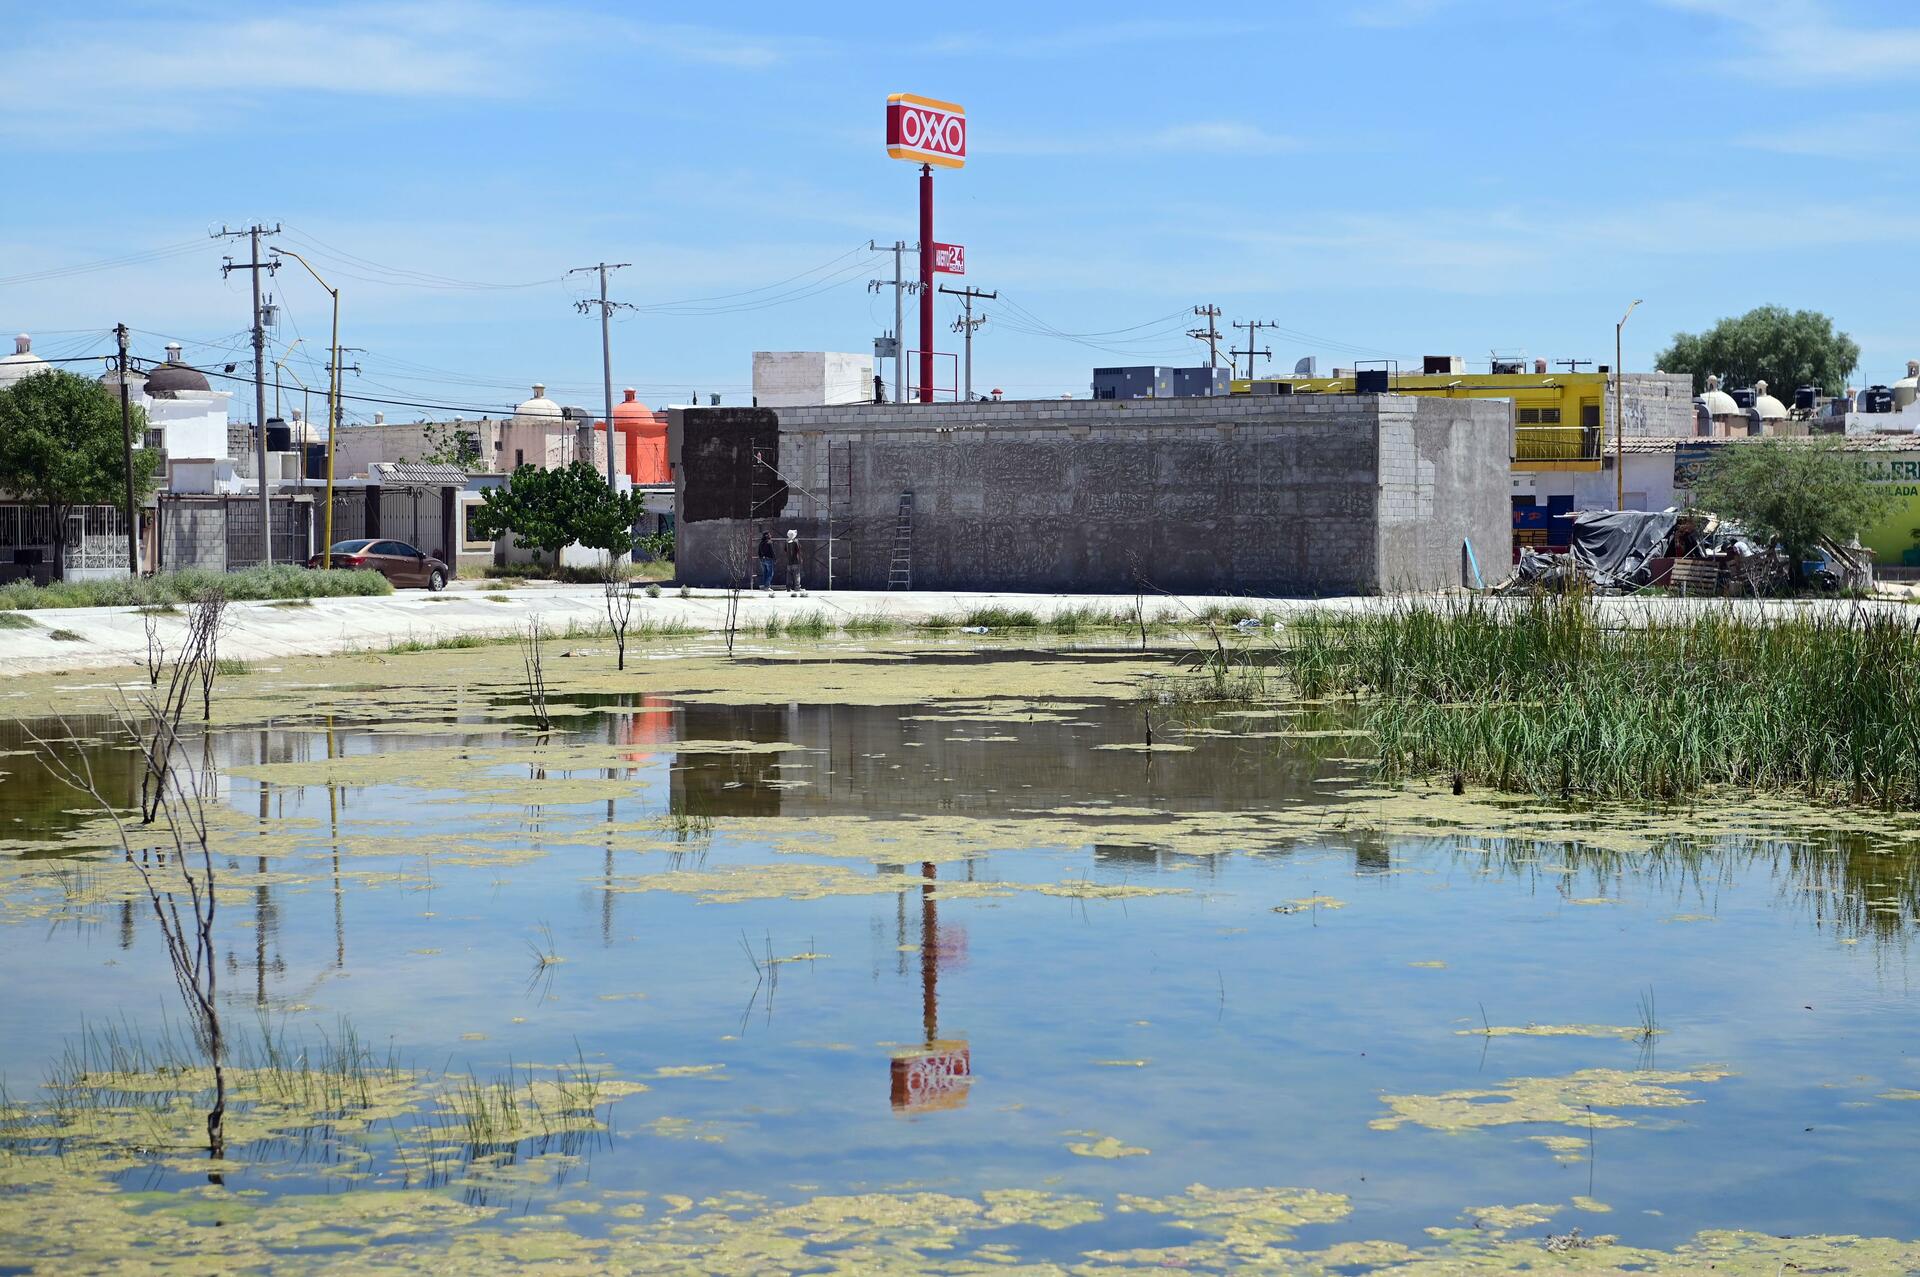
point(95, 638)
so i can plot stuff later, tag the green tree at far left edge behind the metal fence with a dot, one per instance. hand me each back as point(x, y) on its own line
point(60, 446)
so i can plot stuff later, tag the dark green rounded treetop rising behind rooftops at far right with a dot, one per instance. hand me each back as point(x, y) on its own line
point(1785, 349)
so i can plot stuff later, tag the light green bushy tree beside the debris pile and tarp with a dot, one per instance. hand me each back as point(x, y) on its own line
point(1792, 493)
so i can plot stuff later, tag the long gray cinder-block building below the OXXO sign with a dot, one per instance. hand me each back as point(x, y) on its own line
point(1287, 496)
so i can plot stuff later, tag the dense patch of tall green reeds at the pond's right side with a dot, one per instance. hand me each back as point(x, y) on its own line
point(1547, 698)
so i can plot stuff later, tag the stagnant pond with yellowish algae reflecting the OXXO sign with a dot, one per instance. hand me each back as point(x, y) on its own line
point(924, 961)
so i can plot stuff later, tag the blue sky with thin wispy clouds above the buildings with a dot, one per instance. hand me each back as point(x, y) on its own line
point(1381, 178)
